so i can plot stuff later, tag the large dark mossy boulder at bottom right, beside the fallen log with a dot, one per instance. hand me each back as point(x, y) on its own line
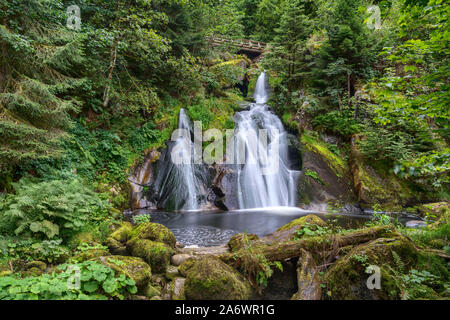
point(347, 278)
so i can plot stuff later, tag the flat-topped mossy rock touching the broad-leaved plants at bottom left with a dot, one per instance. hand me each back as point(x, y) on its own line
point(133, 267)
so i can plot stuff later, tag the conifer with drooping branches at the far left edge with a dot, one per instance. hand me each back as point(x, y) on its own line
point(40, 62)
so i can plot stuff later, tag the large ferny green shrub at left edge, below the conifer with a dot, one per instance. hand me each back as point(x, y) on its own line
point(48, 209)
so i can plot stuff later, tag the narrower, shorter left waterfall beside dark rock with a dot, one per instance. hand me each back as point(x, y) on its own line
point(179, 186)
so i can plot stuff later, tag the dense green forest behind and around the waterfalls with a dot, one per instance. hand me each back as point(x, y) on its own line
point(79, 107)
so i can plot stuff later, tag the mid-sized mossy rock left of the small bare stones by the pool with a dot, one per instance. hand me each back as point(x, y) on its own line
point(156, 254)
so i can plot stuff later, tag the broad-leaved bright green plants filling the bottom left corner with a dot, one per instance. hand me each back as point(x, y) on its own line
point(96, 282)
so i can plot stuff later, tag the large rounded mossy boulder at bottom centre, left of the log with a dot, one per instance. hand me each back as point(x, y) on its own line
point(208, 278)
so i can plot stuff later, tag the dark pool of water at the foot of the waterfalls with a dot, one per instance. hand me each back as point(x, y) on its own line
point(206, 228)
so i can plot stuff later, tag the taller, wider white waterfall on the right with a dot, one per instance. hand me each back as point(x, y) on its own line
point(257, 186)
